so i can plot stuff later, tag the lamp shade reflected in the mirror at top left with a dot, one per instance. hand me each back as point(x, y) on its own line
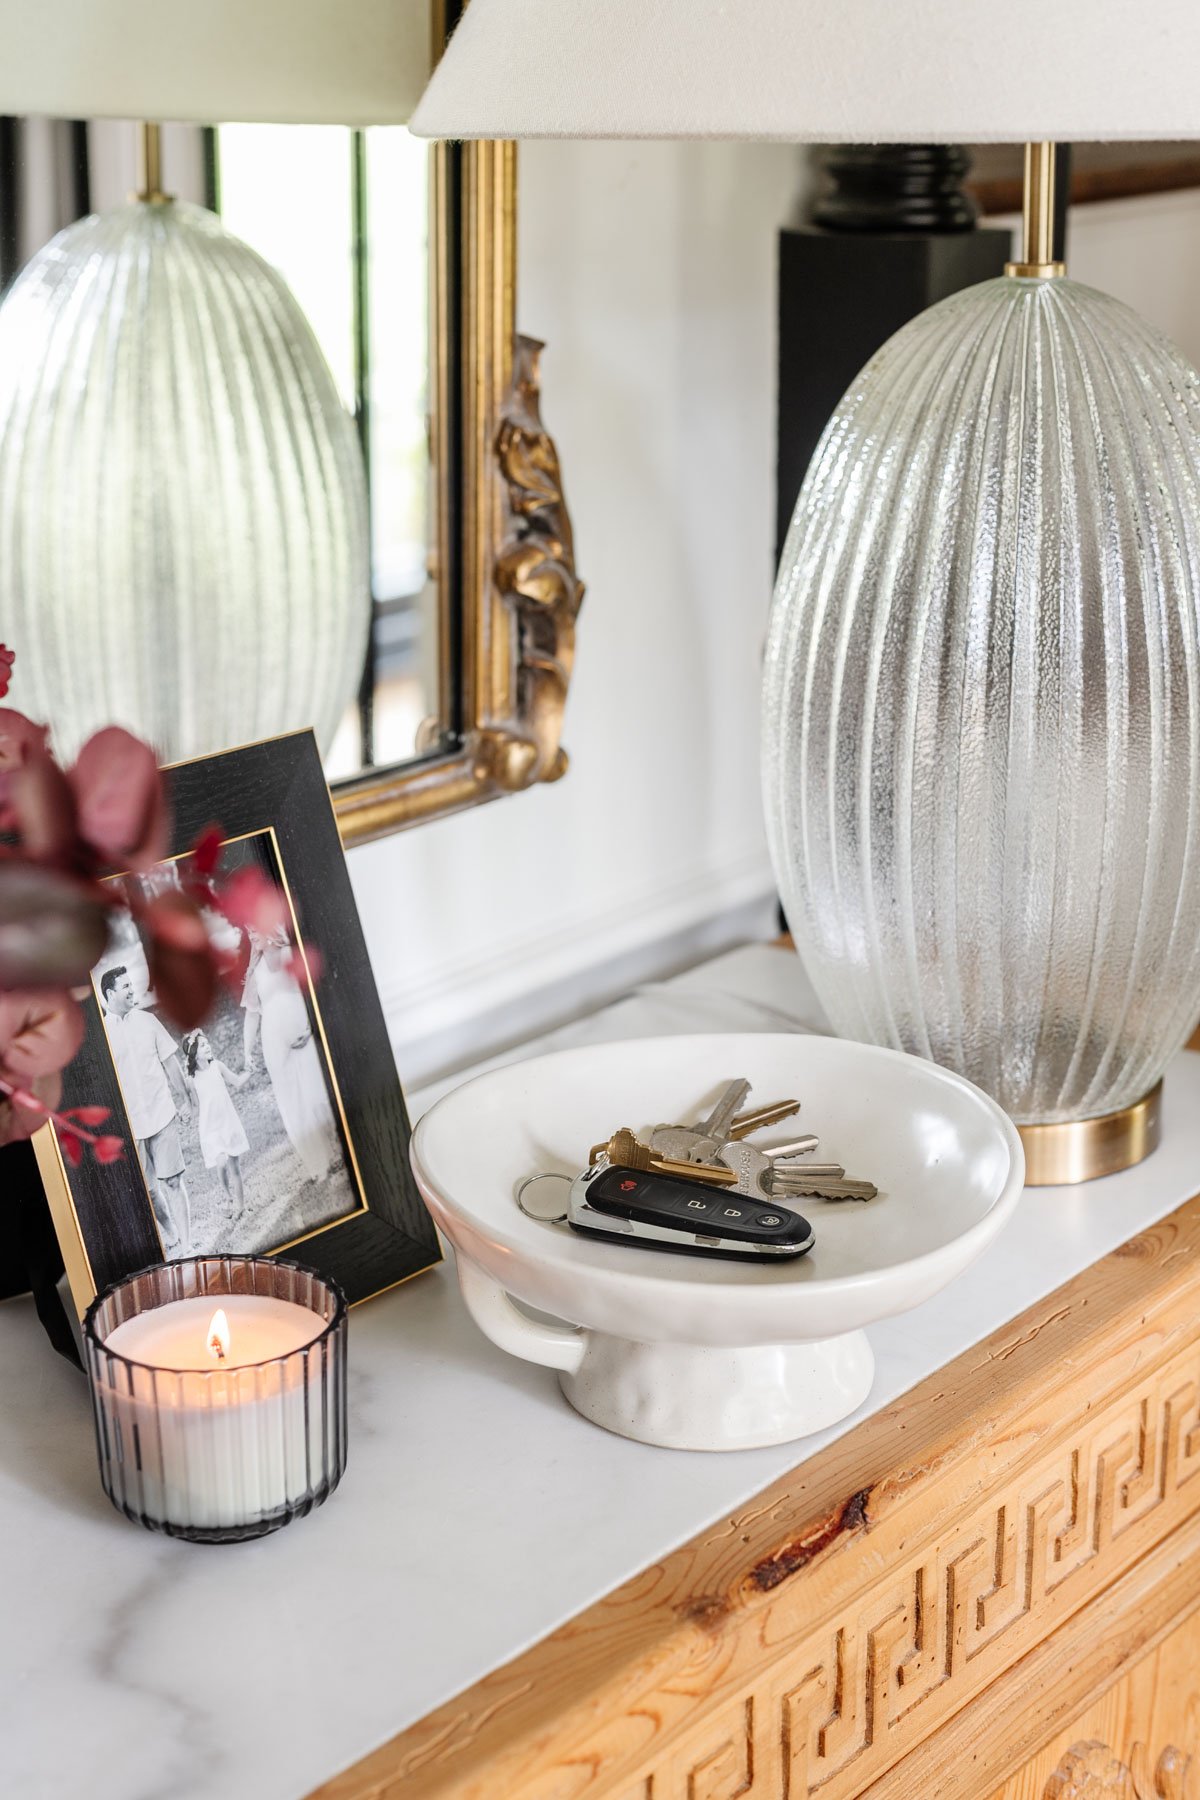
point(307, 62)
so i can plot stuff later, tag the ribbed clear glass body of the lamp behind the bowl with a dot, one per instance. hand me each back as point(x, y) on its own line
point(983, 701)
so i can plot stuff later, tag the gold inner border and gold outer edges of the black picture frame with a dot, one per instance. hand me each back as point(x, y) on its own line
point(57, 1176)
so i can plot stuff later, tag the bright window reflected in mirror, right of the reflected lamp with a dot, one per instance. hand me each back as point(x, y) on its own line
point(345, 217)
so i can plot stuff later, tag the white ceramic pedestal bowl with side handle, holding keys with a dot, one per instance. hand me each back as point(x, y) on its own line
point(697, 1353)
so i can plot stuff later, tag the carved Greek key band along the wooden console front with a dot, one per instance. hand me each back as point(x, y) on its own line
point(846, 1704)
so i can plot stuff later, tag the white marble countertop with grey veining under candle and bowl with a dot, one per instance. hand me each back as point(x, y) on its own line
point(478, 1511)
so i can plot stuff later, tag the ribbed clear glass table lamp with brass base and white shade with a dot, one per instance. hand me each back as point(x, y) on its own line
point(981, 703)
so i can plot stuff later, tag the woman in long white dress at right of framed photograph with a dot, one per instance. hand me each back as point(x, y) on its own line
point(278, 1018)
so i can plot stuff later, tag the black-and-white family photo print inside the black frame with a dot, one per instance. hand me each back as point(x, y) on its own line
point(237, 1122)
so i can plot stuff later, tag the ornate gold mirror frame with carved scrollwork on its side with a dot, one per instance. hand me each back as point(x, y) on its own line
point(505, 559)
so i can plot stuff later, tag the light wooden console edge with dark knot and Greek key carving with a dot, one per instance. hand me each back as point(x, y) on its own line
point(814, 1642)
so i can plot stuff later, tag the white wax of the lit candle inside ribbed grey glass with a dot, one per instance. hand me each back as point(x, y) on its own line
point(219, 1441)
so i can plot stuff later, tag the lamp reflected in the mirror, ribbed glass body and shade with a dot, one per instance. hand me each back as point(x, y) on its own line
point(183, 496)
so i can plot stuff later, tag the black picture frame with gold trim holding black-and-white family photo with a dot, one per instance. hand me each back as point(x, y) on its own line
point(278, 1124)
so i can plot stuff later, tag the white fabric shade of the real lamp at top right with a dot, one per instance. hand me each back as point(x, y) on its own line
point(821, 71)
